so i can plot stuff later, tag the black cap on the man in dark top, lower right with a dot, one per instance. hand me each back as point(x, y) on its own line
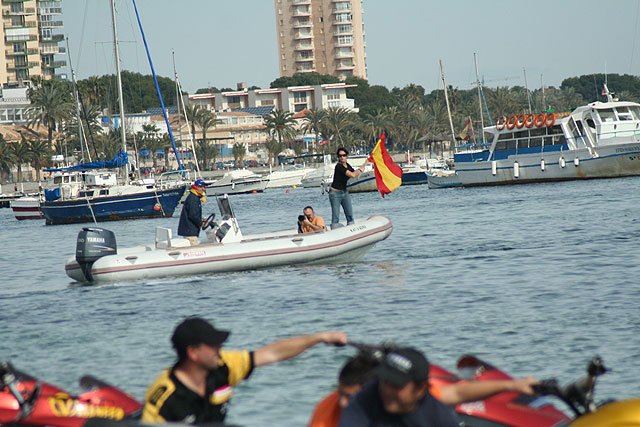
point(403, 365)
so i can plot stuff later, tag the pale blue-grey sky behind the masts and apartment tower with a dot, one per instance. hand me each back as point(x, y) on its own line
point(223, 42)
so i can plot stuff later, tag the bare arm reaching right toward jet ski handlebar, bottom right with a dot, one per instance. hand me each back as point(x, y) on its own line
point(454, 394)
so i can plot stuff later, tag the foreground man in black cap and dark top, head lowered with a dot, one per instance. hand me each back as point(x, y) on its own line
point(399, 396)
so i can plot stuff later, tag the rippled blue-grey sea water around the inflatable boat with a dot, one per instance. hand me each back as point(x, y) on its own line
point(536, 279)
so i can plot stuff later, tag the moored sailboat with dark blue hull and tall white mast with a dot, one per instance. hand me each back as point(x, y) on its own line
point(91, 193)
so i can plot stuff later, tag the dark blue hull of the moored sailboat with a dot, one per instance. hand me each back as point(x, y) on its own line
point(114, 208)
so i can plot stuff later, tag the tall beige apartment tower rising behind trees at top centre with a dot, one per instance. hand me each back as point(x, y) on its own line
point(325, 36)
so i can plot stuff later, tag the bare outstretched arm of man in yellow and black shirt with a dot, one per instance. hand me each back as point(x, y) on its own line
point(291, 347)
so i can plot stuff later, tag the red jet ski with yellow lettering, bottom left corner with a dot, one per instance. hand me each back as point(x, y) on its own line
point(25, 400)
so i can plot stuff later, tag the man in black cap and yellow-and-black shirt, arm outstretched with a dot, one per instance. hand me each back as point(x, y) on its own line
point(198, 388)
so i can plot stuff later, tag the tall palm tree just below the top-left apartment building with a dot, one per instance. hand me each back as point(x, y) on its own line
point(51, 105)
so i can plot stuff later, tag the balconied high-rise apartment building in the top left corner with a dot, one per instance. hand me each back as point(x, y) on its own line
point(28, 40)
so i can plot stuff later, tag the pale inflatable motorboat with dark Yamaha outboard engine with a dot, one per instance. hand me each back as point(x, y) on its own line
point(98, 259)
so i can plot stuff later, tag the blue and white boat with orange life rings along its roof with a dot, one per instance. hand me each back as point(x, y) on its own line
point(597, 140)
